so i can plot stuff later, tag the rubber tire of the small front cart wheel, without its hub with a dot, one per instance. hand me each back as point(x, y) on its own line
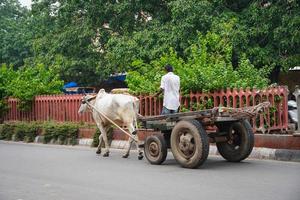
point(162, 155)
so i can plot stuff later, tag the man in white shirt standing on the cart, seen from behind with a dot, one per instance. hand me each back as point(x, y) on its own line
point(170, 85)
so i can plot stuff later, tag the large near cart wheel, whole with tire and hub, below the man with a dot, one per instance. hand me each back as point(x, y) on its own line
point(189, 143)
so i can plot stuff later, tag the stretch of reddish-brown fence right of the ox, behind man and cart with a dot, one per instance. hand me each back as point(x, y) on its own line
point(275, 119)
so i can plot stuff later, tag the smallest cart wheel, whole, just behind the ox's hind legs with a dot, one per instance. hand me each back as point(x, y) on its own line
point(155, 149)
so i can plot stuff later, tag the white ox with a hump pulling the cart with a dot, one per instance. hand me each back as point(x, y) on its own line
point(121, 109)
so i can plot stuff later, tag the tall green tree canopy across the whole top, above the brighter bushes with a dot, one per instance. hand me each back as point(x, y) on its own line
point(88, 40)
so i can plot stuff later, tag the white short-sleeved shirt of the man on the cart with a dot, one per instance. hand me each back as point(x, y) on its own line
point(170, 83)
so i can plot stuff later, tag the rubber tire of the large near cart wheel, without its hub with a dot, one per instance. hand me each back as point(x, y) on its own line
point(200, 139)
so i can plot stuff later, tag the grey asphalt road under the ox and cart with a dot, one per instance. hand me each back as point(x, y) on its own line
point(48, 172)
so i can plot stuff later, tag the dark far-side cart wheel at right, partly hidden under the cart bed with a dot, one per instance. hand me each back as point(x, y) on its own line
point(240, 142)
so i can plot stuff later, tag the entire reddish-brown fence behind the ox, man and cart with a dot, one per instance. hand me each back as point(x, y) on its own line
point(64, 107)
